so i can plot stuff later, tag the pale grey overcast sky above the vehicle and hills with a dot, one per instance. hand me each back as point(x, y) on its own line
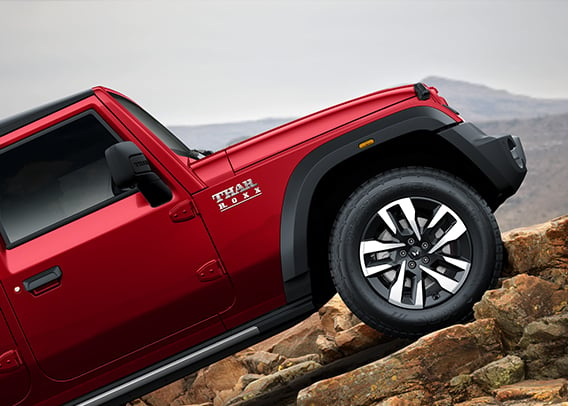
point(197, 62)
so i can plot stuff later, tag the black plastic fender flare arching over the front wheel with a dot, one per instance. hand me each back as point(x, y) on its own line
point(313, 167)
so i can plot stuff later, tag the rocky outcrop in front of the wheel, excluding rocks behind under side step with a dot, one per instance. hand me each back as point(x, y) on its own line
point(518, 343)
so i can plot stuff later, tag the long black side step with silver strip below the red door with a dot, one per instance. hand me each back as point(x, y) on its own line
point(197, 357)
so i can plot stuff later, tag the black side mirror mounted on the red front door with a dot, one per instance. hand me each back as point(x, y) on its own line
point(129, 168)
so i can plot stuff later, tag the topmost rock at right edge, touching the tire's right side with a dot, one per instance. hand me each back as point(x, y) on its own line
point(539, 250)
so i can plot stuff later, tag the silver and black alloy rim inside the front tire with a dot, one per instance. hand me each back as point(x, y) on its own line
point(415, 252)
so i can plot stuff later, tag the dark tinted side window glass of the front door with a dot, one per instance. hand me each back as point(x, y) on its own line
point(54, 177)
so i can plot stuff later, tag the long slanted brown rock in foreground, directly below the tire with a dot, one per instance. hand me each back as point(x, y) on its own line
point(424, 365)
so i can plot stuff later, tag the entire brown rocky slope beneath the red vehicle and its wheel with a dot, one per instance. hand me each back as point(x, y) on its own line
point(514, 352)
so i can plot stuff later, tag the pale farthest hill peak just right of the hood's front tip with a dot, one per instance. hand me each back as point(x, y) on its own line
point(481, 103)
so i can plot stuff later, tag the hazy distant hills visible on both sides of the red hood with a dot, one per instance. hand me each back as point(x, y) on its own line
point(542, 125)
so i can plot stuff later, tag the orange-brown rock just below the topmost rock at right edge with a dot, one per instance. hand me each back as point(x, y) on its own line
point(521, 300)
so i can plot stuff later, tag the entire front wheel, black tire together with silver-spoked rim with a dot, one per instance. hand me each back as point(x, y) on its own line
point(433, 227)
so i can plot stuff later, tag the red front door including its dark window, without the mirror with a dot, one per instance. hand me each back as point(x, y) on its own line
point(96, 273)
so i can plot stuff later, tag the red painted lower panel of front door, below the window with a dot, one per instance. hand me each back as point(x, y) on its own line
point(128, 279)
